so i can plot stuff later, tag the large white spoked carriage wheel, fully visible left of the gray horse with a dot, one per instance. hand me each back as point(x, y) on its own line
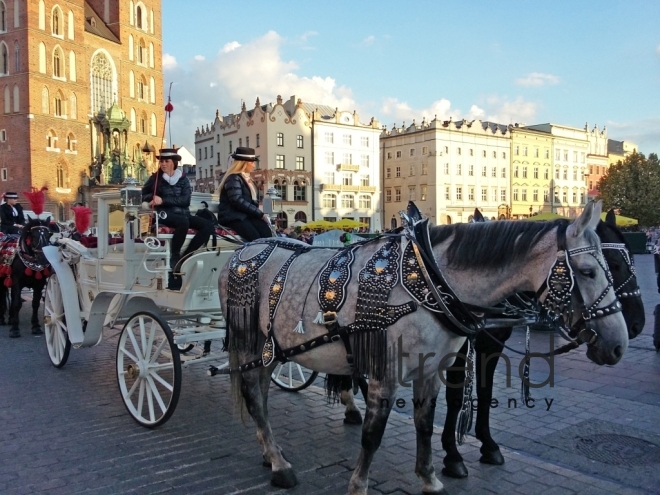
point(148, 369)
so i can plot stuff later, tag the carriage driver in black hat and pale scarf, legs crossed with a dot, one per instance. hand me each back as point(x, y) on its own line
point(168, 191)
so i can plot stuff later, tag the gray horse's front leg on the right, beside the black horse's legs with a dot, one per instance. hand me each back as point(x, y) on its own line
point(425, 393)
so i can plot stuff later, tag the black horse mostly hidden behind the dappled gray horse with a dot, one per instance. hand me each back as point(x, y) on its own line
point(489, 346)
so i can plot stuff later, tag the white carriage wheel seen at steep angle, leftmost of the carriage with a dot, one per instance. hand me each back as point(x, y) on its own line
point(57, 337)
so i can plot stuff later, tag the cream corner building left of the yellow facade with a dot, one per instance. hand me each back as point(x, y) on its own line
point(448, 168)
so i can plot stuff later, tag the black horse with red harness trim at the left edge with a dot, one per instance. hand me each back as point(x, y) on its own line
point(24, 265)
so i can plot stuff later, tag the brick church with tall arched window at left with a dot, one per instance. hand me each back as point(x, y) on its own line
point(81, 84)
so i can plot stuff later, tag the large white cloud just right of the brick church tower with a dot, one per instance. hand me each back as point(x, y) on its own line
point(243, 72)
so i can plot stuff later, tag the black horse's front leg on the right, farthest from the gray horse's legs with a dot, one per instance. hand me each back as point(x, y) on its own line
point(487, 348)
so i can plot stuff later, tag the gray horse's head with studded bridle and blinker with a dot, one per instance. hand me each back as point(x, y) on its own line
point(592, 296)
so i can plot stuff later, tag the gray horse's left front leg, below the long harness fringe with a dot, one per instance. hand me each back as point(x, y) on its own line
point(380, 399)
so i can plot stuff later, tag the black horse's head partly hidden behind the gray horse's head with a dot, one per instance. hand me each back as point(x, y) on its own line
point(617, 254)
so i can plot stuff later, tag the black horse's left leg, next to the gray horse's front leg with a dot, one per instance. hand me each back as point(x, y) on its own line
point(453, 461)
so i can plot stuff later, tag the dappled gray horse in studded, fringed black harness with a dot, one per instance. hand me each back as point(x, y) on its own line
point(484, 264)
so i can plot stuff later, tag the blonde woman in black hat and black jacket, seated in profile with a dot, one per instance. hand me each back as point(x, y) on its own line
point(239, 208)
